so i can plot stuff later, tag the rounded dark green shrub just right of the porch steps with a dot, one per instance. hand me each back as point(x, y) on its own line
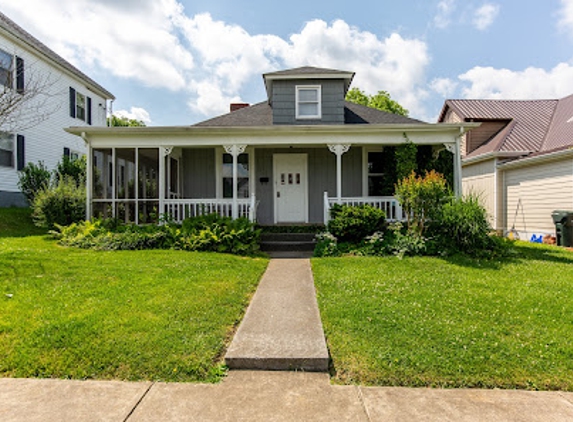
point(353, 223)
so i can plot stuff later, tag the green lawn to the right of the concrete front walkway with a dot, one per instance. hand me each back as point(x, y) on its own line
point(454, 322)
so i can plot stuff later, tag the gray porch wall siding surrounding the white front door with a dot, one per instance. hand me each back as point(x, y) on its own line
point(321, 178)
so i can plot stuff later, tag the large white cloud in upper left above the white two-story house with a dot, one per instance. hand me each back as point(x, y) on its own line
point(138, 42)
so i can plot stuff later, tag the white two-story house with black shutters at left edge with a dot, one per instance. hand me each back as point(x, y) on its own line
point(52, 95)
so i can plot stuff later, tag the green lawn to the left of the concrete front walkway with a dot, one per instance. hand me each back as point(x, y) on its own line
point(132, 315)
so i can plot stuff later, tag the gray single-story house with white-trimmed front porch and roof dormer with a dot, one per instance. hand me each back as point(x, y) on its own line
point(284, 160)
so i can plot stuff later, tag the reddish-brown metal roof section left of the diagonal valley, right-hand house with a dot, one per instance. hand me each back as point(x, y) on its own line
point(528, 122)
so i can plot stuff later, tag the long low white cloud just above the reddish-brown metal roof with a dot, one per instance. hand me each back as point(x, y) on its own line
point(531, 83)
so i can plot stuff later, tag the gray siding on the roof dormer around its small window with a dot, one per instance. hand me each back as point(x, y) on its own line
point(284, 97)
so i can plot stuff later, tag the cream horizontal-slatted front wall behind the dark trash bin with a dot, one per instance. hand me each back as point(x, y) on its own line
point(534, 193)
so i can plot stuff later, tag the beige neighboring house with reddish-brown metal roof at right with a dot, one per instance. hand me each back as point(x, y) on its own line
point(520, 160)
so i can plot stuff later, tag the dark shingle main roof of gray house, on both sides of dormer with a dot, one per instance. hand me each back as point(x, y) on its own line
point(261, 114)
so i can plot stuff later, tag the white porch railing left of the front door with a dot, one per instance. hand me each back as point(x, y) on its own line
point(180, 209)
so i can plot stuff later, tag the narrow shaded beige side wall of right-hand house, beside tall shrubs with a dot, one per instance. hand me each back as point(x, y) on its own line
point(480, 179)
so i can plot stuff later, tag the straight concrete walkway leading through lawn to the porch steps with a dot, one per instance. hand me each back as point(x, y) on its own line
point(281, 329)
